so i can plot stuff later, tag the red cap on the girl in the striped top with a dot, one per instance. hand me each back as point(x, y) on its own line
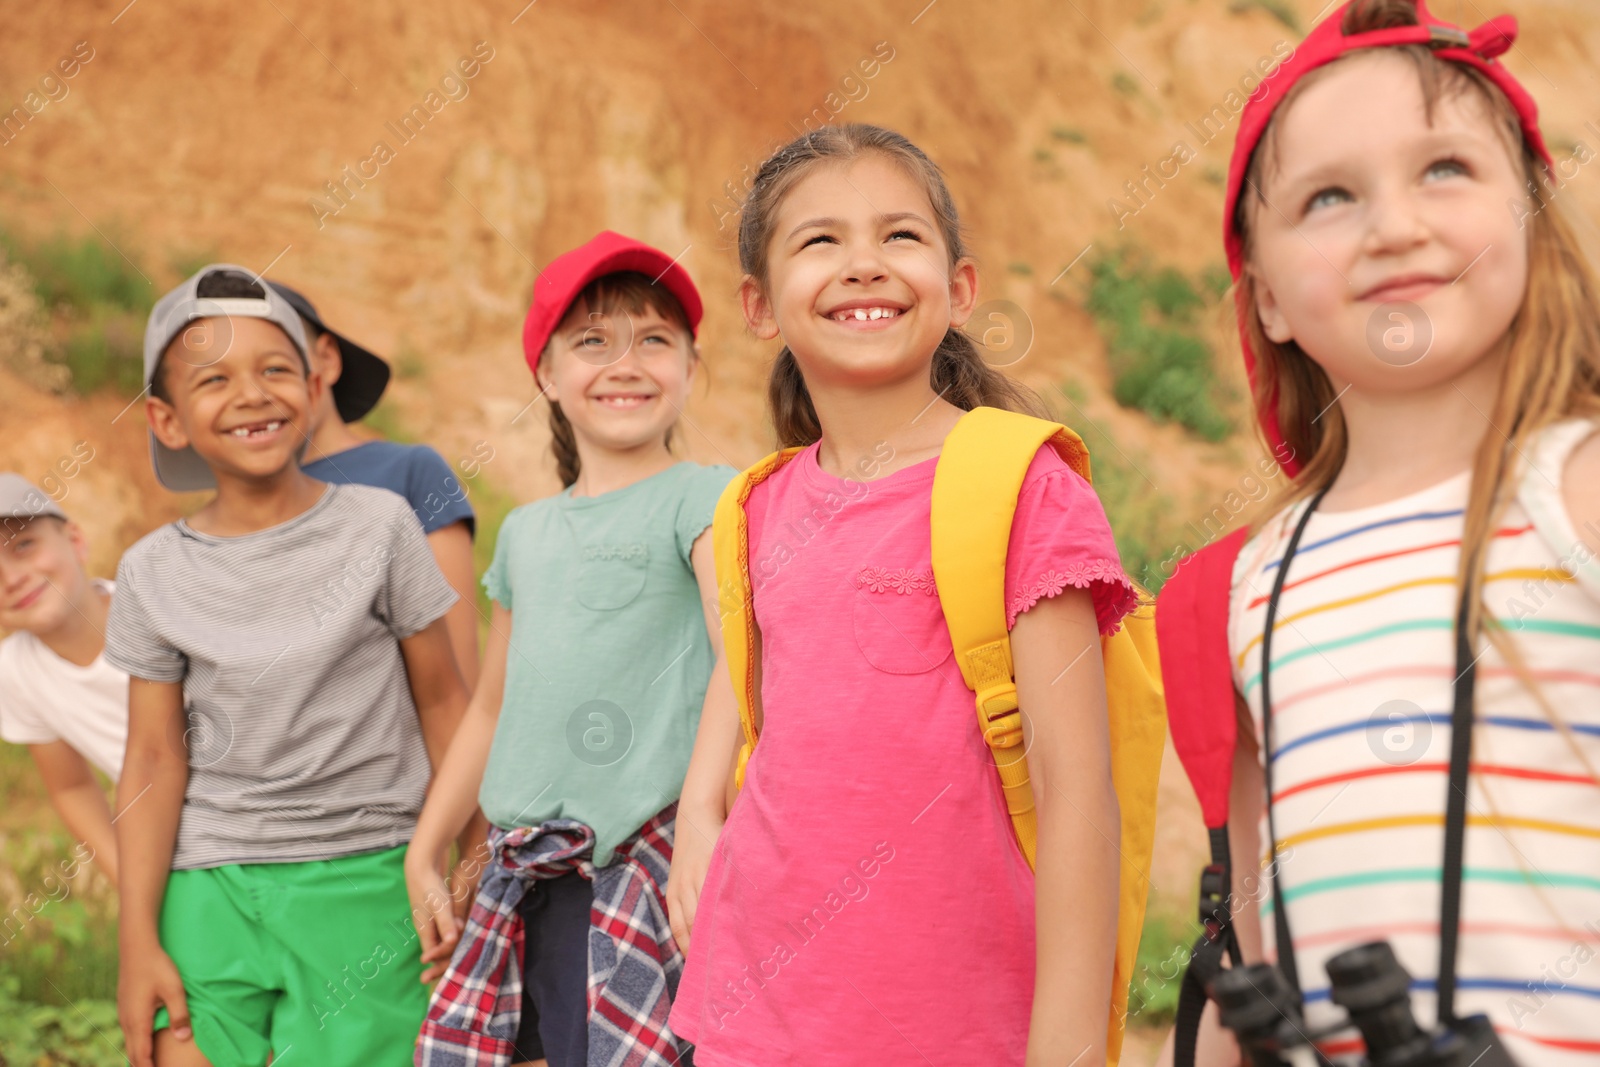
point(1326, 44)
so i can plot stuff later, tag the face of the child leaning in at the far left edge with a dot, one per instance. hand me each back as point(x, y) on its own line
point(42, 575)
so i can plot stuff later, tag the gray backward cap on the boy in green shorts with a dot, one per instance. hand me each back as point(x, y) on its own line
point(217, 292)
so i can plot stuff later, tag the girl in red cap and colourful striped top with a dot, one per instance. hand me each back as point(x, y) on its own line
point(1423, 334)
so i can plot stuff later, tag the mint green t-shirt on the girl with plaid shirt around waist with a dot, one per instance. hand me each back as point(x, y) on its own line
point(609, 655)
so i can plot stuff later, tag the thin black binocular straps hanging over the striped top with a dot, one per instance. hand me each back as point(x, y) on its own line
point(1462, 721)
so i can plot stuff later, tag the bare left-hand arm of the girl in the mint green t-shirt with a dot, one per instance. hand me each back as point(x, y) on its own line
point(454, 802)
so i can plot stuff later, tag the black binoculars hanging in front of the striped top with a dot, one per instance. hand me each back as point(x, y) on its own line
point(1265, 1012)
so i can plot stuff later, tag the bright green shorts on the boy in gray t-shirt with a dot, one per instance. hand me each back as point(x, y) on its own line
point(318, 957)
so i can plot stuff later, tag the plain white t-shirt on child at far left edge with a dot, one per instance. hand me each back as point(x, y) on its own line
point(46, 698)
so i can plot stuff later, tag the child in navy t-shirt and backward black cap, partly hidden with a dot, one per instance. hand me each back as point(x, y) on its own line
point(353, 382)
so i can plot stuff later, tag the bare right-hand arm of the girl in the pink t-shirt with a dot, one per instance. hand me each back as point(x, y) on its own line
point(1062, 687)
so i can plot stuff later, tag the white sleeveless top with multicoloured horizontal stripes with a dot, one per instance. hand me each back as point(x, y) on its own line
point(1362, 692)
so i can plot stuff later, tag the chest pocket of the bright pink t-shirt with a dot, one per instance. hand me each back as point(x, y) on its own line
point(898, 621)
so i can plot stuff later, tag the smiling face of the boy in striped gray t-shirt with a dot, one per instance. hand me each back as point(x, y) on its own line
point(239, 396)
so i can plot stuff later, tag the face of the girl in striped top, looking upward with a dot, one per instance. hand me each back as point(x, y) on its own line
point(1388, 249)
